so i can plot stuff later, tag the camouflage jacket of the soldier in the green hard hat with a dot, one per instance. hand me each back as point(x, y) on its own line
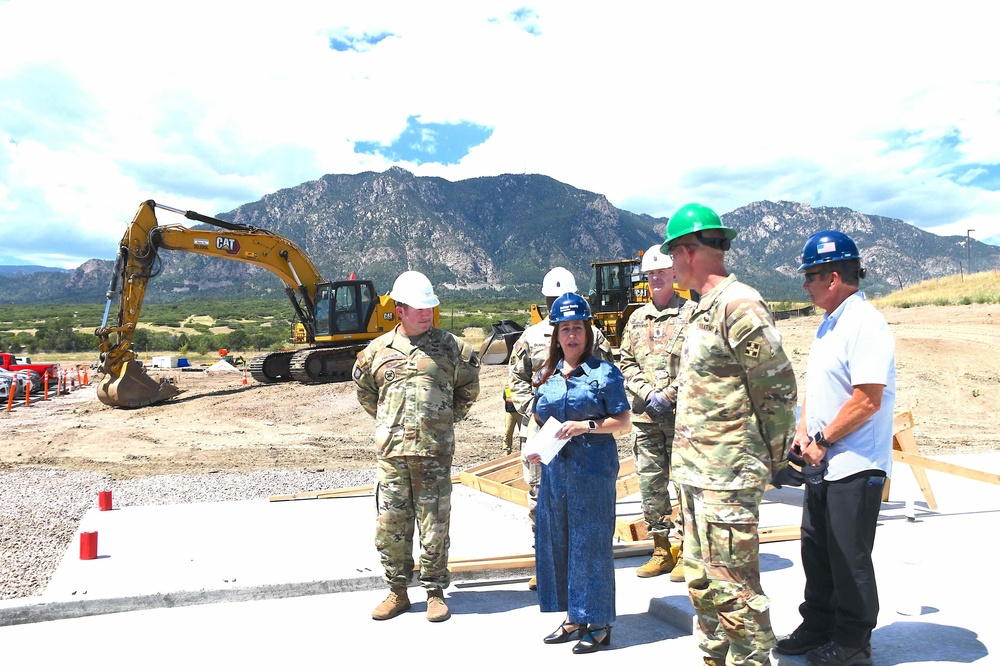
point(736, 396)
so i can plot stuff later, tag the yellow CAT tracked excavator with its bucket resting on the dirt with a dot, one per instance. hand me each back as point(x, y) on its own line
point(337, 318)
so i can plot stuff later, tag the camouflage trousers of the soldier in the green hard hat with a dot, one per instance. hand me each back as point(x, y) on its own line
point(722, 570)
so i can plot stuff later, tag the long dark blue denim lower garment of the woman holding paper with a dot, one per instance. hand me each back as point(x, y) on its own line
point(574, 532)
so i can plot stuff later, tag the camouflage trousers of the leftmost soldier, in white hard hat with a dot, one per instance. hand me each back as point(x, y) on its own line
point(414, 490)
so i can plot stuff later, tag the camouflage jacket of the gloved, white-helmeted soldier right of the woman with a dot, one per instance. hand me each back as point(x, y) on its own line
point(651, 353)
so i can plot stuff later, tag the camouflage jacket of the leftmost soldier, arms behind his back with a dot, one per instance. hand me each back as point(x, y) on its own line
point(416, 391)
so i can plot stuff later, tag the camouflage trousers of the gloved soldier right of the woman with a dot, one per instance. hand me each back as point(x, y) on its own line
point(651, 446)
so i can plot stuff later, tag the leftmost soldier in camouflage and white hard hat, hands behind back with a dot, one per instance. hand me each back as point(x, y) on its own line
point(416, 380)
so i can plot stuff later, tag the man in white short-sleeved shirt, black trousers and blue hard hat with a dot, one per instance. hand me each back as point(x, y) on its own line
point(846, 424)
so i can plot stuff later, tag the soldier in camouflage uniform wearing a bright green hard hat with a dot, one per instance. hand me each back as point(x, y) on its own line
point(735, 422)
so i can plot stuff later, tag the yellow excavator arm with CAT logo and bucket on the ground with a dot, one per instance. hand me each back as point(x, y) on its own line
point(125, 382)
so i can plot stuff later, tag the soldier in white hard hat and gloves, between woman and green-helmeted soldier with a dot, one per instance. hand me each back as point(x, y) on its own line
point(650, 357)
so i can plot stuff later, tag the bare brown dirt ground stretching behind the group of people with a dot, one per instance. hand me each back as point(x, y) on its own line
point(948, 375)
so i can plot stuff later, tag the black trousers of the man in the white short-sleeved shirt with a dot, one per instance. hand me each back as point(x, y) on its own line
point(838, 534)
